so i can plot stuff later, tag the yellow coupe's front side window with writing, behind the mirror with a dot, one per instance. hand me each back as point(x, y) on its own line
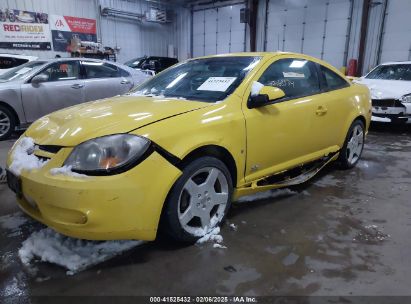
point(296, 77)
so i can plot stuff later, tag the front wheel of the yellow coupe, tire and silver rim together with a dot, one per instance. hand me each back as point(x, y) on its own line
point(198, 201)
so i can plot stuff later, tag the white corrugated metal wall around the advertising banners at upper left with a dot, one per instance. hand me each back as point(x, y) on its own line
point(134, 38)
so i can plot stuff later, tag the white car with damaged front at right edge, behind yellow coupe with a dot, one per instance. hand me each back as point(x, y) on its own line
point(390, 87)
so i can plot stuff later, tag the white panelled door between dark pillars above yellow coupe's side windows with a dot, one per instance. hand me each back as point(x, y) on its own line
point(319, 28)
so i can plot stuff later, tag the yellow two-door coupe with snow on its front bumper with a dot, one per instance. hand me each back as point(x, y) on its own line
point(173, 154)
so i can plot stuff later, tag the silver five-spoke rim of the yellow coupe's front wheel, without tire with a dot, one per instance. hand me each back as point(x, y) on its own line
point(203, 200)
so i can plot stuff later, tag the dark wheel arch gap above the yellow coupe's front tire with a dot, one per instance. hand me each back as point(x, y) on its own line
point(216, 151)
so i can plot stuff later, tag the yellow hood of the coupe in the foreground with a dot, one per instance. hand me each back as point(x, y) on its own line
point(71, 126)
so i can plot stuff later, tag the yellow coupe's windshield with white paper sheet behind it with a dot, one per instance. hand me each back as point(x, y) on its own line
point(208, 79)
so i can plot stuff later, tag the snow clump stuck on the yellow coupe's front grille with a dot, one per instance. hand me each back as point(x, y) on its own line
point(23, 157)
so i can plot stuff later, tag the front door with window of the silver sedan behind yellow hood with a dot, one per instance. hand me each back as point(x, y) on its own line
point(63, 88)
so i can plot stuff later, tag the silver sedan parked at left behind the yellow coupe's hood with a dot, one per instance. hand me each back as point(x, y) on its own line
point(37, 88)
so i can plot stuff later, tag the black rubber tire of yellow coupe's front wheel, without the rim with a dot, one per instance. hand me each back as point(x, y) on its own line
point(170, 222)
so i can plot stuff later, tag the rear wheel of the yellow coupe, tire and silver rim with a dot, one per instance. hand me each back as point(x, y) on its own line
point(353, 145)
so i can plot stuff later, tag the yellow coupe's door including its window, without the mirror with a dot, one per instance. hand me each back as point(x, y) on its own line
point(278, 134)
